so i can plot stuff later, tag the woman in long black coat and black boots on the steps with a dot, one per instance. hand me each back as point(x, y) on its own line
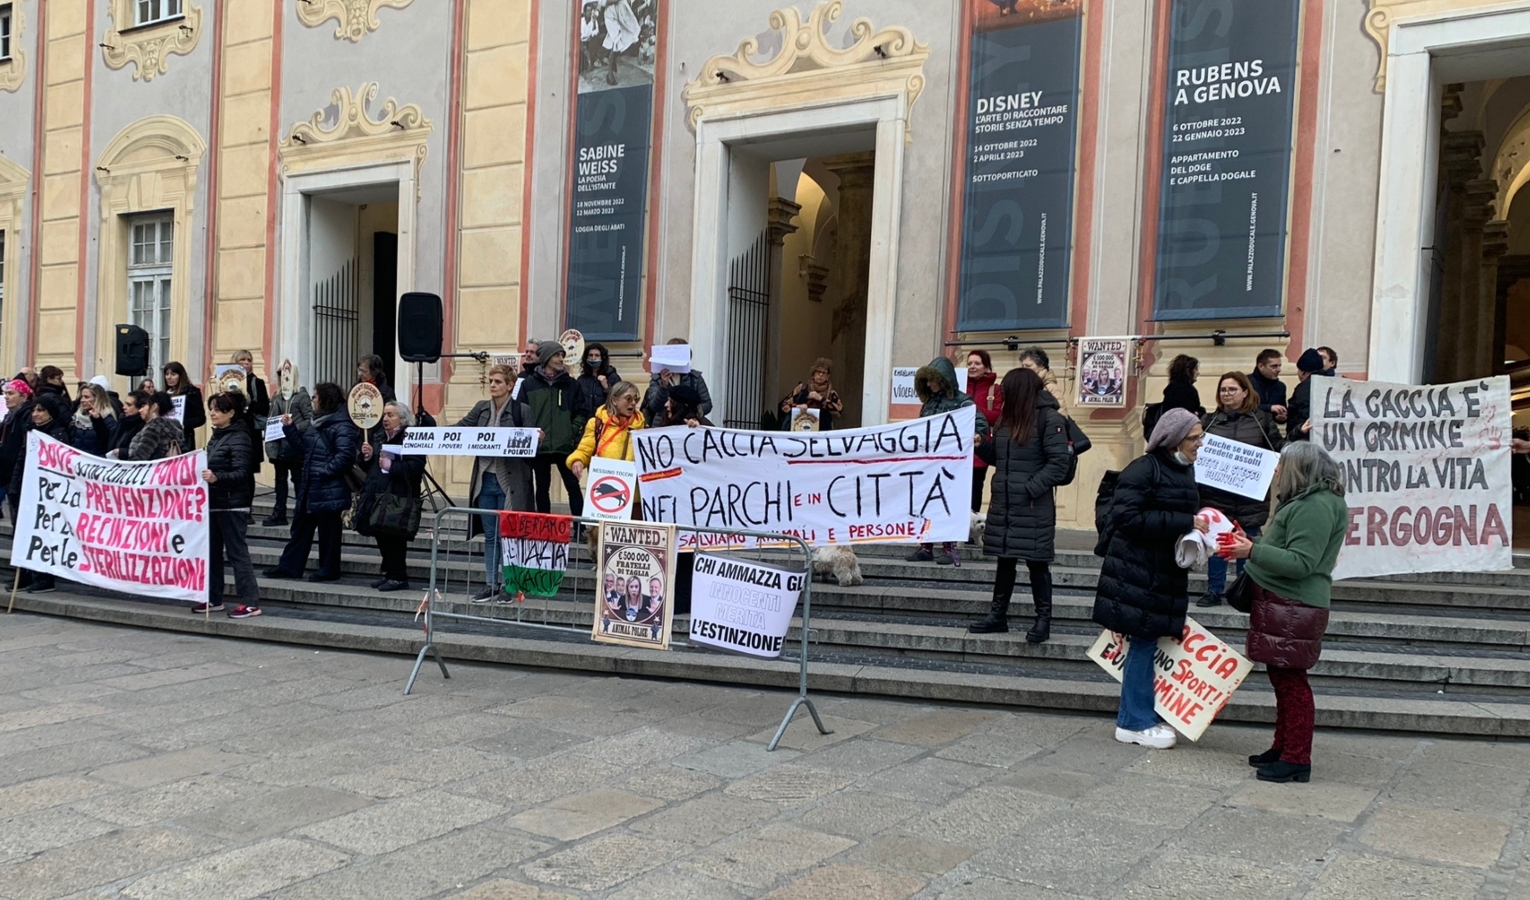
point(1030, 457)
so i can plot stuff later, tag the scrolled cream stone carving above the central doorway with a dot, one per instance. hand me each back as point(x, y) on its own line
point(809, 68)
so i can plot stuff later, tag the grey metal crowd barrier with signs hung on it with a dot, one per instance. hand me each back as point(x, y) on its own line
point(429, 607)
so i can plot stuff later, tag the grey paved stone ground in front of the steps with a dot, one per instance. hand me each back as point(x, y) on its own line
point(164, 768)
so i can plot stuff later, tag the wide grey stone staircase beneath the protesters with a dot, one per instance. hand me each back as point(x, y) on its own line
point(1445, 654)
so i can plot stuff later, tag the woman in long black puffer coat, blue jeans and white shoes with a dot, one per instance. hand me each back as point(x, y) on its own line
point(1144, 593)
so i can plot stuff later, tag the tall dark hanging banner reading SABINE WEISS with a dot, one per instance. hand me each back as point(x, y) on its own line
point(613, 132)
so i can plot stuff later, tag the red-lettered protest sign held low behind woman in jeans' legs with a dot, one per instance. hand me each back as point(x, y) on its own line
point(1194, 677)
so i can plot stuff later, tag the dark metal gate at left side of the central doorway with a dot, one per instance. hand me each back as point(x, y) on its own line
point(749, 324)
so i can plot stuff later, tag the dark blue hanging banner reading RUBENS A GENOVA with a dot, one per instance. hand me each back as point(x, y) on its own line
point(1226, 160)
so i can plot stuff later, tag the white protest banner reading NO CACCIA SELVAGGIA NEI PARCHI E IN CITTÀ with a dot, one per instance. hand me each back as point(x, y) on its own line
point(894, 484)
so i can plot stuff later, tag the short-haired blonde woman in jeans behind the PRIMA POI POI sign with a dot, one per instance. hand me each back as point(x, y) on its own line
point(500, 483)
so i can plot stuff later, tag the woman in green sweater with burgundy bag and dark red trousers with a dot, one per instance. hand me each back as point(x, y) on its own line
point(1292, 573)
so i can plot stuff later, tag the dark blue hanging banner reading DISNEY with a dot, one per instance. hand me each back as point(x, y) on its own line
point(1017, 232)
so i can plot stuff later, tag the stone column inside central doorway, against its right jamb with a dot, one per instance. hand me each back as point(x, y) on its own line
point(850, 276)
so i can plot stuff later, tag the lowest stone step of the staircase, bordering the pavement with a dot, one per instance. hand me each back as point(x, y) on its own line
point(1414, 712)
